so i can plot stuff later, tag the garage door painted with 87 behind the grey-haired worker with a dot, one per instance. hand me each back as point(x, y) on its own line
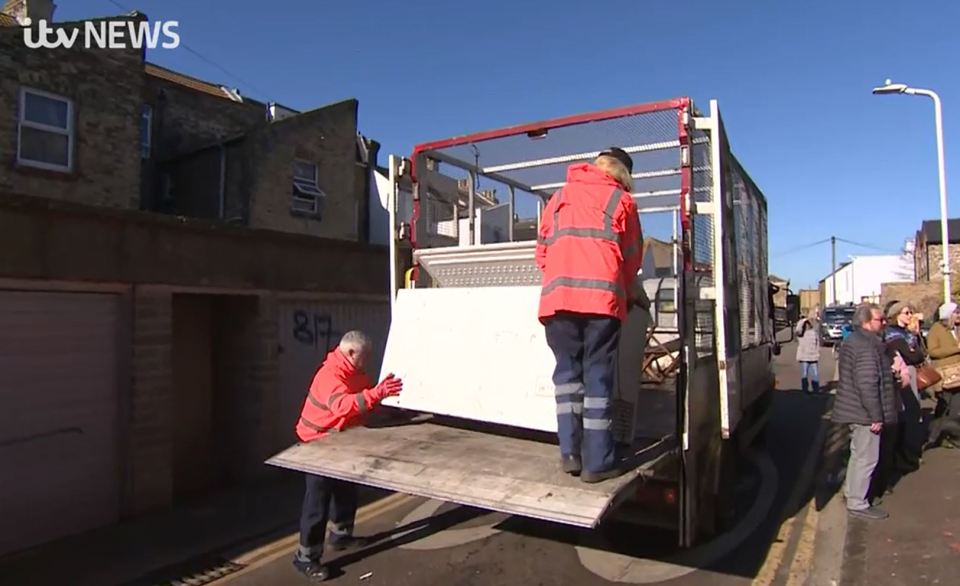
point(308, 330)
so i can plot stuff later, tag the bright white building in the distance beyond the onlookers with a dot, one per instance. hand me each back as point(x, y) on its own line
point(860, 278)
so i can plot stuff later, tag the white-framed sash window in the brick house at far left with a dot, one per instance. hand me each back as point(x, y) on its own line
point(46, 134)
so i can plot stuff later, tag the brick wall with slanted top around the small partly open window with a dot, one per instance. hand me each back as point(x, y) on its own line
point(326, 137)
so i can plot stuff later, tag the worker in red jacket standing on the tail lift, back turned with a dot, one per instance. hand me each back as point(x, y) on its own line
point(589, 250)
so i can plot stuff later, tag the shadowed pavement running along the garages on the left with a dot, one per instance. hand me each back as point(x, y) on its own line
point(196, 538)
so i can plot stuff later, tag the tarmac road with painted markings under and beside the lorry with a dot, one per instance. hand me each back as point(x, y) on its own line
point(429, 542)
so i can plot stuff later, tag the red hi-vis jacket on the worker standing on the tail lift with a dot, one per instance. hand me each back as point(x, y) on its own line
point(589, 246)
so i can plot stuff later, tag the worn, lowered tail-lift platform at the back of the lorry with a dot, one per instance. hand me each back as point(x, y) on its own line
point(474, 468)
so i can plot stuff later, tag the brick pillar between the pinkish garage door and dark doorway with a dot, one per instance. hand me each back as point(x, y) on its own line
point(149, 443)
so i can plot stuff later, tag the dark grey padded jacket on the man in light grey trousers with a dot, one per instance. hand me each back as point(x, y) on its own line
point(866, 393)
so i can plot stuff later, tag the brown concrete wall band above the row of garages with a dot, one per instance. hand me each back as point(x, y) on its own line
point(39, 240)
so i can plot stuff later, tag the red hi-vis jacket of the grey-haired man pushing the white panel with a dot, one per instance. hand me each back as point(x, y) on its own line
point(339, 396)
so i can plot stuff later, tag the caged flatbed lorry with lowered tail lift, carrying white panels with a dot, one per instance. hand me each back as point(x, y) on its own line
point(694, 370)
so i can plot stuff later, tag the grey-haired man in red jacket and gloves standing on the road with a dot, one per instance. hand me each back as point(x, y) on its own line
point(340, 396)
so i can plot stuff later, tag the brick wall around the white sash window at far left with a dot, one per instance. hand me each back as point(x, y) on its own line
point(106, 87)
